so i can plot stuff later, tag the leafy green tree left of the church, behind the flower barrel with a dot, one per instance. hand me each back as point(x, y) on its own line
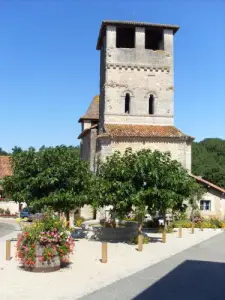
point(53, 177)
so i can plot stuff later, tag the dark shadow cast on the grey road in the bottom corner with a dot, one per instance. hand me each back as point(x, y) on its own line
point(193, 279)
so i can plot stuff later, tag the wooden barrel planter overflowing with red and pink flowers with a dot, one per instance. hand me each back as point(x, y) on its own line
point(44, 245)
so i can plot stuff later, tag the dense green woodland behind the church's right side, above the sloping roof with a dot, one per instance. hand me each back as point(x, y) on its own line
point(208, 160)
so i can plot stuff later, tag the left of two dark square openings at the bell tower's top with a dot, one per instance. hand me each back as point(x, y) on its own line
point(125, 37)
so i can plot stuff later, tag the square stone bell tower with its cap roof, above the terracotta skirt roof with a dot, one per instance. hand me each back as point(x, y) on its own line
point(136, 73)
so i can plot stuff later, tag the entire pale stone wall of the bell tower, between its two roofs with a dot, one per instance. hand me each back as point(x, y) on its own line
point(139, 72)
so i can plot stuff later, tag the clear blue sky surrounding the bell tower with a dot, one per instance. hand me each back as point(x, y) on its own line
point(49, 67)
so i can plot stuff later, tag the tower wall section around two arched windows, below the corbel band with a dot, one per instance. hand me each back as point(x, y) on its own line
point(140, 84)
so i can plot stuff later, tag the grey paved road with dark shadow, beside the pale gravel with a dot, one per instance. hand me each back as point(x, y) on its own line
point(194, 274)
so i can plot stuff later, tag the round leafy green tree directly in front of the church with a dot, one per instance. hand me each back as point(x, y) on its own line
point(149, 181)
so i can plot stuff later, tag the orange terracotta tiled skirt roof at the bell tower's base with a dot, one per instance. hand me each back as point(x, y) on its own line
point(118, 130)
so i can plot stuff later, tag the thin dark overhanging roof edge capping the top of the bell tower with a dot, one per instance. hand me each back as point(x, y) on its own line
point(131, 24)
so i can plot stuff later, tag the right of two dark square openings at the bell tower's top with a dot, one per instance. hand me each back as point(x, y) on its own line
point(153, 39)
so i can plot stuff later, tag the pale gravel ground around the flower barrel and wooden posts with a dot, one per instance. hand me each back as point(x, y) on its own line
point(86, 272)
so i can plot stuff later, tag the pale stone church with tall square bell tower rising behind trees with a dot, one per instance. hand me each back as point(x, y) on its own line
point(135, 107)
